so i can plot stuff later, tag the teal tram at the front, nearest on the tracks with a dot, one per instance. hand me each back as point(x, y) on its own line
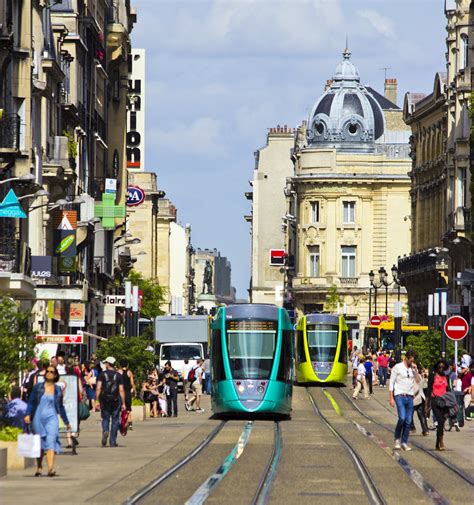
point(251, 360)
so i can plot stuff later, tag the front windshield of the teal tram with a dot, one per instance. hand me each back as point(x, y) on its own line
point(251, 348)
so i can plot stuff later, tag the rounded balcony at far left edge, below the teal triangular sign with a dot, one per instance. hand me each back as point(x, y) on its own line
point(15, 265)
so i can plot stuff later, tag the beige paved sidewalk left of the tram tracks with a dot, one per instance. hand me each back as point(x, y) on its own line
point(95, 468)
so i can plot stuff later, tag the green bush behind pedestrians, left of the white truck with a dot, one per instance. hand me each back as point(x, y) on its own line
point(131, 351)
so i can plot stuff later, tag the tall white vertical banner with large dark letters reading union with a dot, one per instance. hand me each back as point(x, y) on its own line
point(136, 111)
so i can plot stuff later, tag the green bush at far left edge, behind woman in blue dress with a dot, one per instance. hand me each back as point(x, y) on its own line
point(17, 342)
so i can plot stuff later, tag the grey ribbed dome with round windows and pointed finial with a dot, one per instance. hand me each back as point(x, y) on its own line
point(346, 116)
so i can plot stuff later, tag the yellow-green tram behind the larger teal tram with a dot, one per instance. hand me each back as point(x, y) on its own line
point(321, 349)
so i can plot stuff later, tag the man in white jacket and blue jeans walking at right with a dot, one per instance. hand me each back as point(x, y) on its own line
point(403, 377)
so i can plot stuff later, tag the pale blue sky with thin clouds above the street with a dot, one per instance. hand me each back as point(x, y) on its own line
point(219, 73)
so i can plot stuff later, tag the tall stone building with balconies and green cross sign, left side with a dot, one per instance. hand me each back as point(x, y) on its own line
point(63, 99)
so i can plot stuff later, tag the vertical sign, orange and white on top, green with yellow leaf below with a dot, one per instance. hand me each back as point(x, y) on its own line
point(65, 224)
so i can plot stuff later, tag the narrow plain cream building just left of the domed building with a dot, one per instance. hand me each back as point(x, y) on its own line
point(273, 166)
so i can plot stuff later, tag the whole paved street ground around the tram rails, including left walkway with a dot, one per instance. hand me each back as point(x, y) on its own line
point(313, 463)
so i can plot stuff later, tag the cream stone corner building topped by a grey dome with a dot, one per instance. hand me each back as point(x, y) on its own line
point(349, 195)
